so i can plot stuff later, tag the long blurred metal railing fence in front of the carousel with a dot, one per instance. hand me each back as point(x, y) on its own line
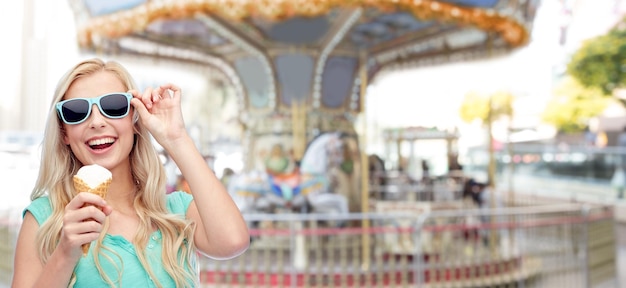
point(414, 244)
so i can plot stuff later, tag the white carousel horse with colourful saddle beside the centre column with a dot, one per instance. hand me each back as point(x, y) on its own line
point(305, 187)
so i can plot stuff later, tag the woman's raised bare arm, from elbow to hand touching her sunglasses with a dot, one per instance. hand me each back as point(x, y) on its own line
point(221, 231)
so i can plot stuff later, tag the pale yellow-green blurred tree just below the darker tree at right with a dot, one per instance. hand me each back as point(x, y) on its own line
point(573, 105)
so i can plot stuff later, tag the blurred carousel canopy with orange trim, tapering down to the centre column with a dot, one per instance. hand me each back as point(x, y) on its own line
point(276, 52)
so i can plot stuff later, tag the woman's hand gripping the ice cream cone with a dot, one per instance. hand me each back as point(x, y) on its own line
point(82, 223)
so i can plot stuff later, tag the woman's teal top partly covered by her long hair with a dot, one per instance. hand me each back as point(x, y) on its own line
point(122, 260)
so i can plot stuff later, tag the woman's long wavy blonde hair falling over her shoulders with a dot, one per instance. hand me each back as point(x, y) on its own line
point(58, 165)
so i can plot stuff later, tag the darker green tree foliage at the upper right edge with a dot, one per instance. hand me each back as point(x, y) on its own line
point(601, 61)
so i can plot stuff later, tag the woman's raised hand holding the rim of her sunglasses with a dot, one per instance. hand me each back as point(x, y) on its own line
point(160, 111)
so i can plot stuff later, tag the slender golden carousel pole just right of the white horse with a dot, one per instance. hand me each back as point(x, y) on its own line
point(364, 166)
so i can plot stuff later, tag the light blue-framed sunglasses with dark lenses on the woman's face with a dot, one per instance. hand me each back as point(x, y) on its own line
point(77, 110)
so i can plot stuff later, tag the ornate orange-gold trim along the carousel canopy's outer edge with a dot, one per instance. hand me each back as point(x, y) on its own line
point(136, 19)
